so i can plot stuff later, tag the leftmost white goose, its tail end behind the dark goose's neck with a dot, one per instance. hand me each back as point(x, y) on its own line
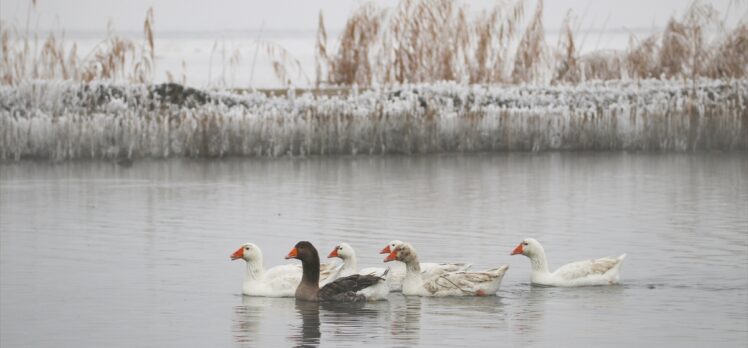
point(279, 281)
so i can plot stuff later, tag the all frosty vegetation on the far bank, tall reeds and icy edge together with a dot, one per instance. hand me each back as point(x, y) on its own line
point(682, 88)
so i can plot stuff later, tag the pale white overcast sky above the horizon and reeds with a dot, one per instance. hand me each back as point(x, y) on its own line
point(216, 15)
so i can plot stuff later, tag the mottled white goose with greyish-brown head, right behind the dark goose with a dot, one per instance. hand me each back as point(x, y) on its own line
point(445, 284)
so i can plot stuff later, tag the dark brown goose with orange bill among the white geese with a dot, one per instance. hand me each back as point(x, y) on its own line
point(352, 288)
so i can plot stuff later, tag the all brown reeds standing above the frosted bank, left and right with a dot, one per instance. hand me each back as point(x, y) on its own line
point(418, 41)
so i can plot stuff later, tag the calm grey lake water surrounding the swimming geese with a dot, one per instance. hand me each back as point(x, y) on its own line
point(95, 254)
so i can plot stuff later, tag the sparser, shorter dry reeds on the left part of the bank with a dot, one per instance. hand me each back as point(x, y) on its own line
point(24, 57)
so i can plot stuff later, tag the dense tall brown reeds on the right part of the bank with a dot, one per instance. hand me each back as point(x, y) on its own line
point(421, 41)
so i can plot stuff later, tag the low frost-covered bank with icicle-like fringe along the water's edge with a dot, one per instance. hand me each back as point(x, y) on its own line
point(62, 120)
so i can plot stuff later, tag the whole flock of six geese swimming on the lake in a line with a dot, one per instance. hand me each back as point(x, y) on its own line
point(313, 281)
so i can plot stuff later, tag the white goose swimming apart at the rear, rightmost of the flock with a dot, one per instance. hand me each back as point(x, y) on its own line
point(602, 271)
